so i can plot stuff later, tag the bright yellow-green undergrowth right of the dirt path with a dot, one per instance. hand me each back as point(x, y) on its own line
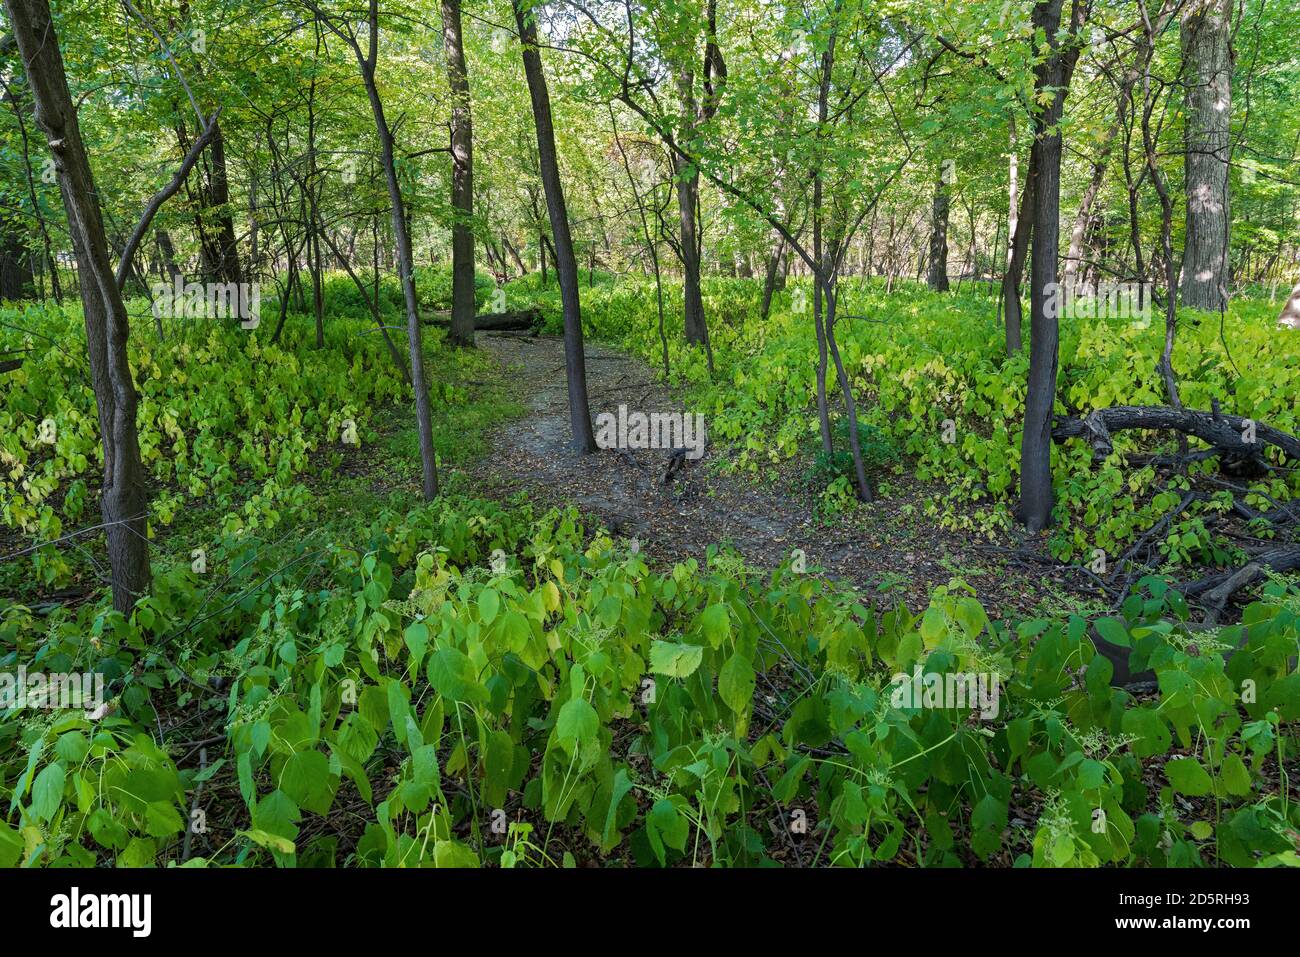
point(922, 361)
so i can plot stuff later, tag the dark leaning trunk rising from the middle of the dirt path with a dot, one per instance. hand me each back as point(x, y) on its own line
point(566, 263)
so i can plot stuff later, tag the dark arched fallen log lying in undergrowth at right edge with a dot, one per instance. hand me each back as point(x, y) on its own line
point(1228, 434)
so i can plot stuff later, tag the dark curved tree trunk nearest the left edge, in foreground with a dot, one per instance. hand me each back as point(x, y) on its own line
point(124, 501)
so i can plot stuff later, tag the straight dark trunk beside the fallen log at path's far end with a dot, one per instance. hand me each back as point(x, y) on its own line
point(462, 181)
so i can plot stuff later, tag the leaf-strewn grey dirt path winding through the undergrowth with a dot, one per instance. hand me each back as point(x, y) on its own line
point(885, 548)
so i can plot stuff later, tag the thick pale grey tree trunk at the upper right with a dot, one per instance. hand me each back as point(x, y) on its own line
point(1207, 80)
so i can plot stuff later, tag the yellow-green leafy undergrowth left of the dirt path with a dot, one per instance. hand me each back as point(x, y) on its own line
point(229, 426)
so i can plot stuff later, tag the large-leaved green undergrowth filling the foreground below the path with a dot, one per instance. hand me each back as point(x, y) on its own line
point(465, 683)
